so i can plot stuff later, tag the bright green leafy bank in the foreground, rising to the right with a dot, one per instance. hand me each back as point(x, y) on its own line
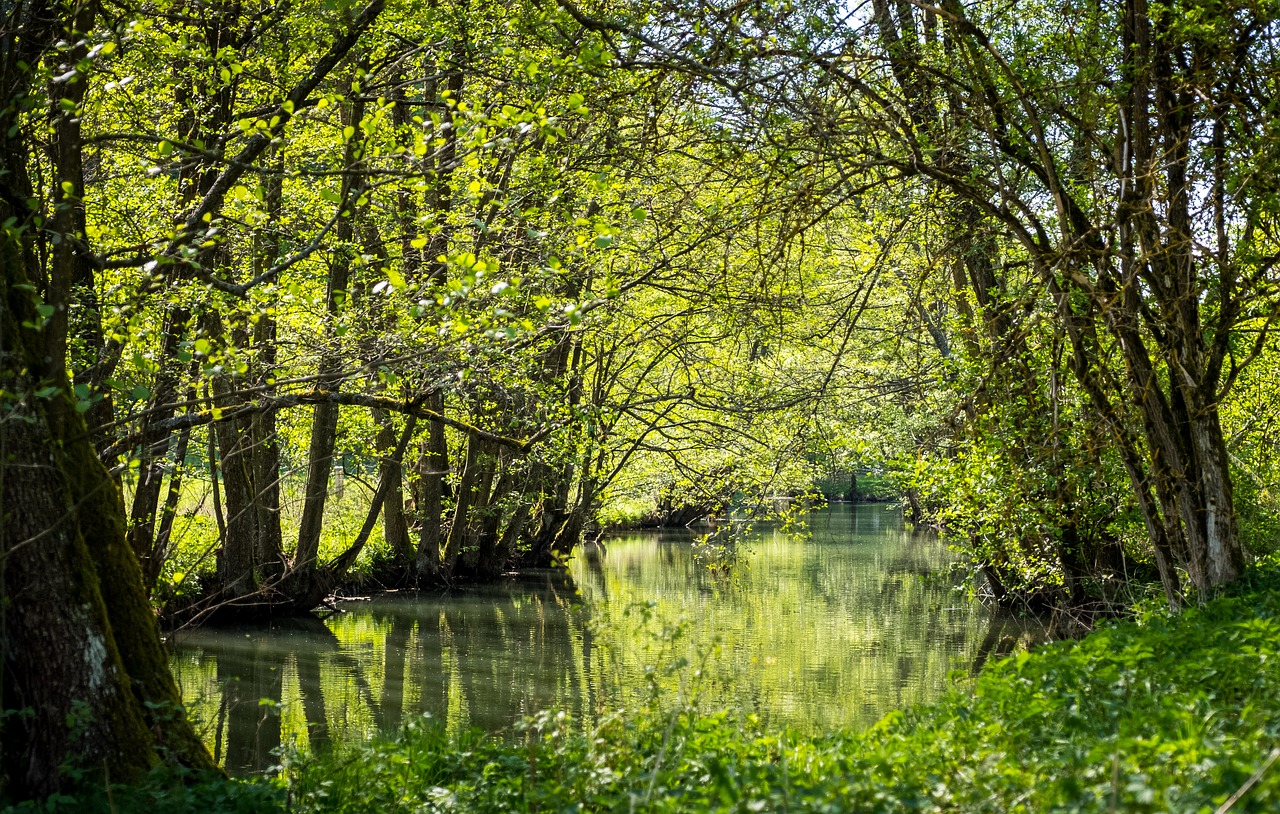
point(1153, 715)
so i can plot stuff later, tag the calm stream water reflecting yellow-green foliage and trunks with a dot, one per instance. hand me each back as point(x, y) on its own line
point(835, 629)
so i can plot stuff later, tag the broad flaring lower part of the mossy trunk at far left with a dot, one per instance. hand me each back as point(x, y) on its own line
point(81, 647)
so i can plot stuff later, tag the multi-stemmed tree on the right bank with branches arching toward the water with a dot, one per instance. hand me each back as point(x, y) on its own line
point(1118, 152)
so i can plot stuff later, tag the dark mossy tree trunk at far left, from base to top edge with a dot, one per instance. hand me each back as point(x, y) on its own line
point(83, 667)
